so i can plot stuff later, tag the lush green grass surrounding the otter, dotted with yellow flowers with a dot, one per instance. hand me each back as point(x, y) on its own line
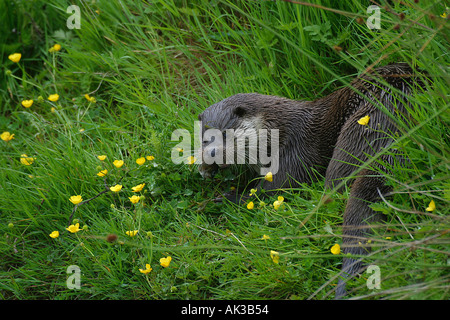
point(152, 67)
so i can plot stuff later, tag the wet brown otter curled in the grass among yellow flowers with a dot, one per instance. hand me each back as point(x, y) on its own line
point(323, 138)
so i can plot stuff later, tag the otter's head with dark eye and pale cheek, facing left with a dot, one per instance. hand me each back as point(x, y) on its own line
point(237, 118)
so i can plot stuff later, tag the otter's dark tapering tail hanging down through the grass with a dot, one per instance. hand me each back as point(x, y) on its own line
point(358, 217)
